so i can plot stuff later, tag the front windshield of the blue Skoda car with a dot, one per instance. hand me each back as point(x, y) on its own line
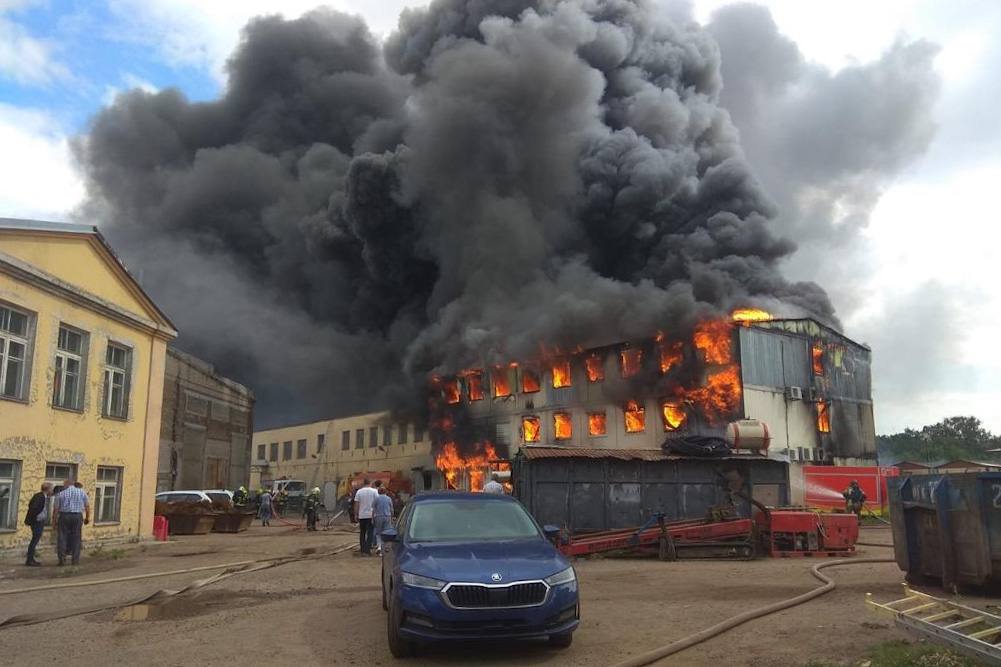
point(470, 520)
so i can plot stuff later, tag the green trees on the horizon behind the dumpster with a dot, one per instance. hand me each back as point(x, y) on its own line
point(950, 439)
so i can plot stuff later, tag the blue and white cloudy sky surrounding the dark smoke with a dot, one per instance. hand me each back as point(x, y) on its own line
point(917, 280)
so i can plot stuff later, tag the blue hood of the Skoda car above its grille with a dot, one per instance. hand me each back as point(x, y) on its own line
point(480, 561)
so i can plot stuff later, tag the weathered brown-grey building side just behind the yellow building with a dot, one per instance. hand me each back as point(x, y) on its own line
point(207, 428)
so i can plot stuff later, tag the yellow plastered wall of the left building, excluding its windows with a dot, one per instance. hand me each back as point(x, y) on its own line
point(74, 281)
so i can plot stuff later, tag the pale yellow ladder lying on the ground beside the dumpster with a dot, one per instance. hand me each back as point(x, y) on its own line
point(968, 630)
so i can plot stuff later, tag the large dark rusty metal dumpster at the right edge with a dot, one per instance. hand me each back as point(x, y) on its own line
point(948, 528)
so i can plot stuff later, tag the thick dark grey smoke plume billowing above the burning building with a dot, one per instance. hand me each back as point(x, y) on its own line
point(503, 176)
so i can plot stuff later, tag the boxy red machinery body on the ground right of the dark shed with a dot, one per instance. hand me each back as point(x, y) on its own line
point(793, 533)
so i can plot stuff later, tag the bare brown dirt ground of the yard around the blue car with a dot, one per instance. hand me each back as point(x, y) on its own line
point(327, 610)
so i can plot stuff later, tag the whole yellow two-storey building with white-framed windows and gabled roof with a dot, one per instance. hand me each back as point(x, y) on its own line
point(83, 352)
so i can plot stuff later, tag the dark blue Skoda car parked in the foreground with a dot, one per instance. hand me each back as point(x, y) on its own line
point(463, 566)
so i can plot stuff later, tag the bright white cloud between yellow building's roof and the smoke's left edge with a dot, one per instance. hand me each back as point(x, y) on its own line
point(37, 177)
